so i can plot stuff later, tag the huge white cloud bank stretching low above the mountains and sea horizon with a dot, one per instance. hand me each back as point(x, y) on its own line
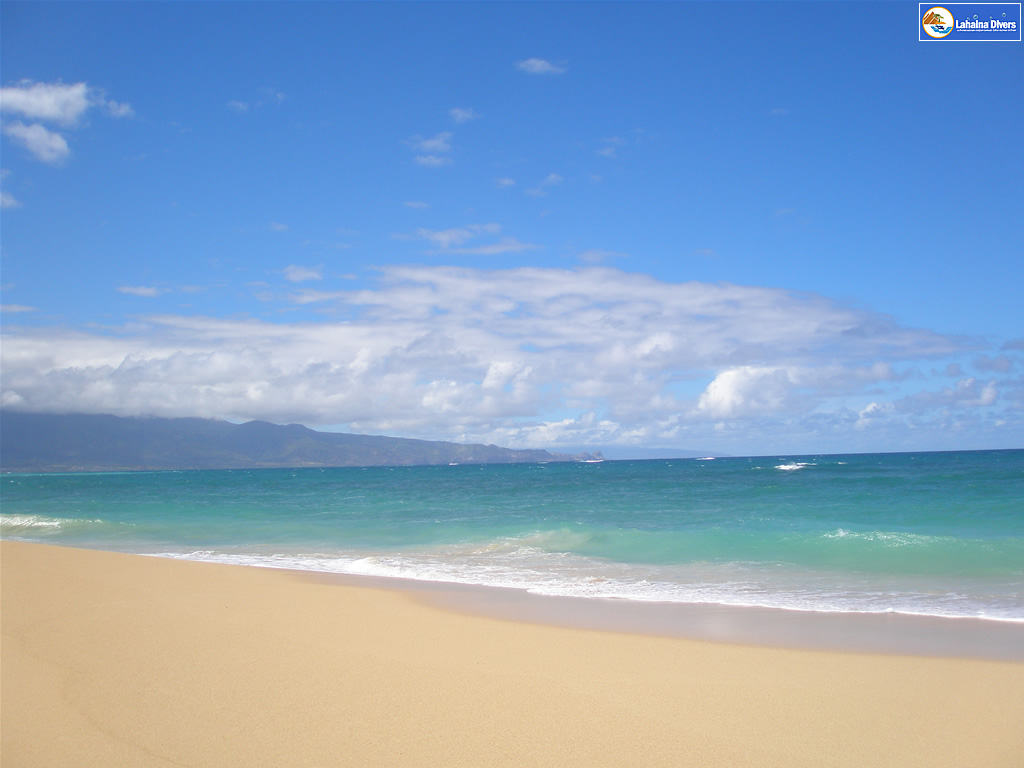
point(526, 357)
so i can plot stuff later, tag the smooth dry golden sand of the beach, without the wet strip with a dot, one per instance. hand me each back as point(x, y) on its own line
point(112, 660)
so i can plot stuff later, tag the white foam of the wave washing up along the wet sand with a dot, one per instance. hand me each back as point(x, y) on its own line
point(563, 575)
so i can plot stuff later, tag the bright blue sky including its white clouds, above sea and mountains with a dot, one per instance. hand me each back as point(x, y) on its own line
point(737, 228)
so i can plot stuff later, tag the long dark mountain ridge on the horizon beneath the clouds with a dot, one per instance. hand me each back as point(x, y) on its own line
point(79, 443)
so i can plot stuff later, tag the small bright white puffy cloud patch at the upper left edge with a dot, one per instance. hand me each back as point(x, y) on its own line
point(57, 104)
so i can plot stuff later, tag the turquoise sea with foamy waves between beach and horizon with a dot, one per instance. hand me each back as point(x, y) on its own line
point(932, 534)
